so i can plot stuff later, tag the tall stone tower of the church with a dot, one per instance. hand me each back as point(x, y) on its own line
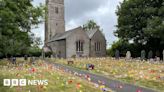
point(55, 22)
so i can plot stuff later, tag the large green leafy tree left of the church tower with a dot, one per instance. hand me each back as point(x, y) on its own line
point(17, 17)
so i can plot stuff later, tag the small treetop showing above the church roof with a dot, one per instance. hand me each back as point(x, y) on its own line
point(90, 25)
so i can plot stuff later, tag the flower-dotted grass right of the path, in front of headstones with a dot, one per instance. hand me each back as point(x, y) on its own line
point(144, 74)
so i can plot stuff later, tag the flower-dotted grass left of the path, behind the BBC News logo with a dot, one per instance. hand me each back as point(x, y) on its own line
point(58, 80)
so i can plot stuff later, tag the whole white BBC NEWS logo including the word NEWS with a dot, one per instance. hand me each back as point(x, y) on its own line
point(23, 82)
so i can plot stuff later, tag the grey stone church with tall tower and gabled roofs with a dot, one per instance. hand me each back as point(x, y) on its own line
point(72, 43)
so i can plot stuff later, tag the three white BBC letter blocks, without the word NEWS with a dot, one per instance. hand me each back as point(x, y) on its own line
point(14, 82)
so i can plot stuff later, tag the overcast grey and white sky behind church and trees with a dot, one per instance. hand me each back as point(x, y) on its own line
point(78, 12)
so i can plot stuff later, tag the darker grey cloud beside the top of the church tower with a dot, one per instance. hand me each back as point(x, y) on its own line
point(77, 8)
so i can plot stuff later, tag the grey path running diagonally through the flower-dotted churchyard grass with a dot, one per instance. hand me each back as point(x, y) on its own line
point(110, 83)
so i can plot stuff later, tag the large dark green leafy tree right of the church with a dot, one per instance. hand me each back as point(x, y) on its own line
point(141, 21)
